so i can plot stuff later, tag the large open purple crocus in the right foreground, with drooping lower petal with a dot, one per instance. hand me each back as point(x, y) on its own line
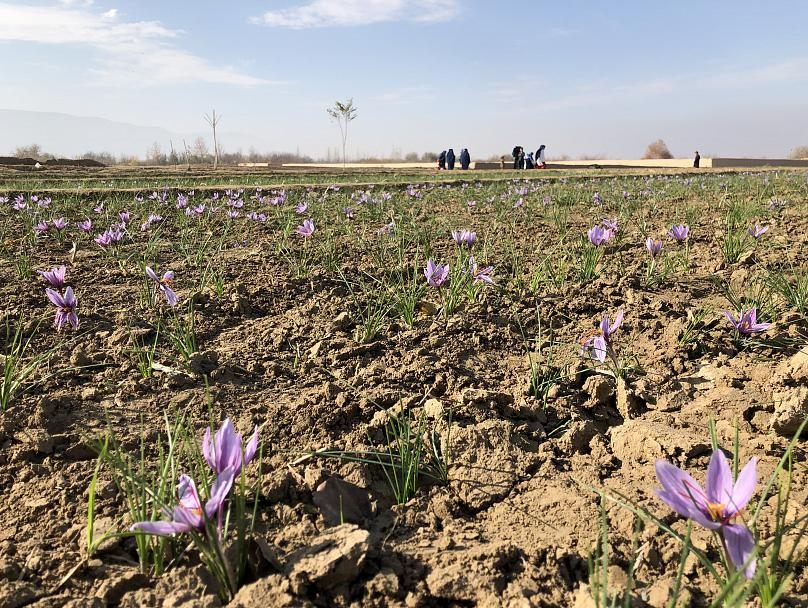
point(717, 505)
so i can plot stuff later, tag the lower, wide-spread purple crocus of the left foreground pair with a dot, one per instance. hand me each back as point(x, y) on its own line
point(189, 514)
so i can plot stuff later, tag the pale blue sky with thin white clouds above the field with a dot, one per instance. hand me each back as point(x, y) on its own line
point(729, 78)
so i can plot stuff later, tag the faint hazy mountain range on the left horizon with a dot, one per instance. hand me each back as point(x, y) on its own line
point(69, 136)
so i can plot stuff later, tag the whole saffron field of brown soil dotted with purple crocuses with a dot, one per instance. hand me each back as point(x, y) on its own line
point(386, 389)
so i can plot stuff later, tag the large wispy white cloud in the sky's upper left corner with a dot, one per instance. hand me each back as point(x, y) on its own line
point(130, 53)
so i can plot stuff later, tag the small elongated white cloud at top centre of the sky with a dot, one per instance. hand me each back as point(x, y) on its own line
point(343, 13)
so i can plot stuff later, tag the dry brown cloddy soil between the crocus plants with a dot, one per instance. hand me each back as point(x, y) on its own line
point(519, 516)
